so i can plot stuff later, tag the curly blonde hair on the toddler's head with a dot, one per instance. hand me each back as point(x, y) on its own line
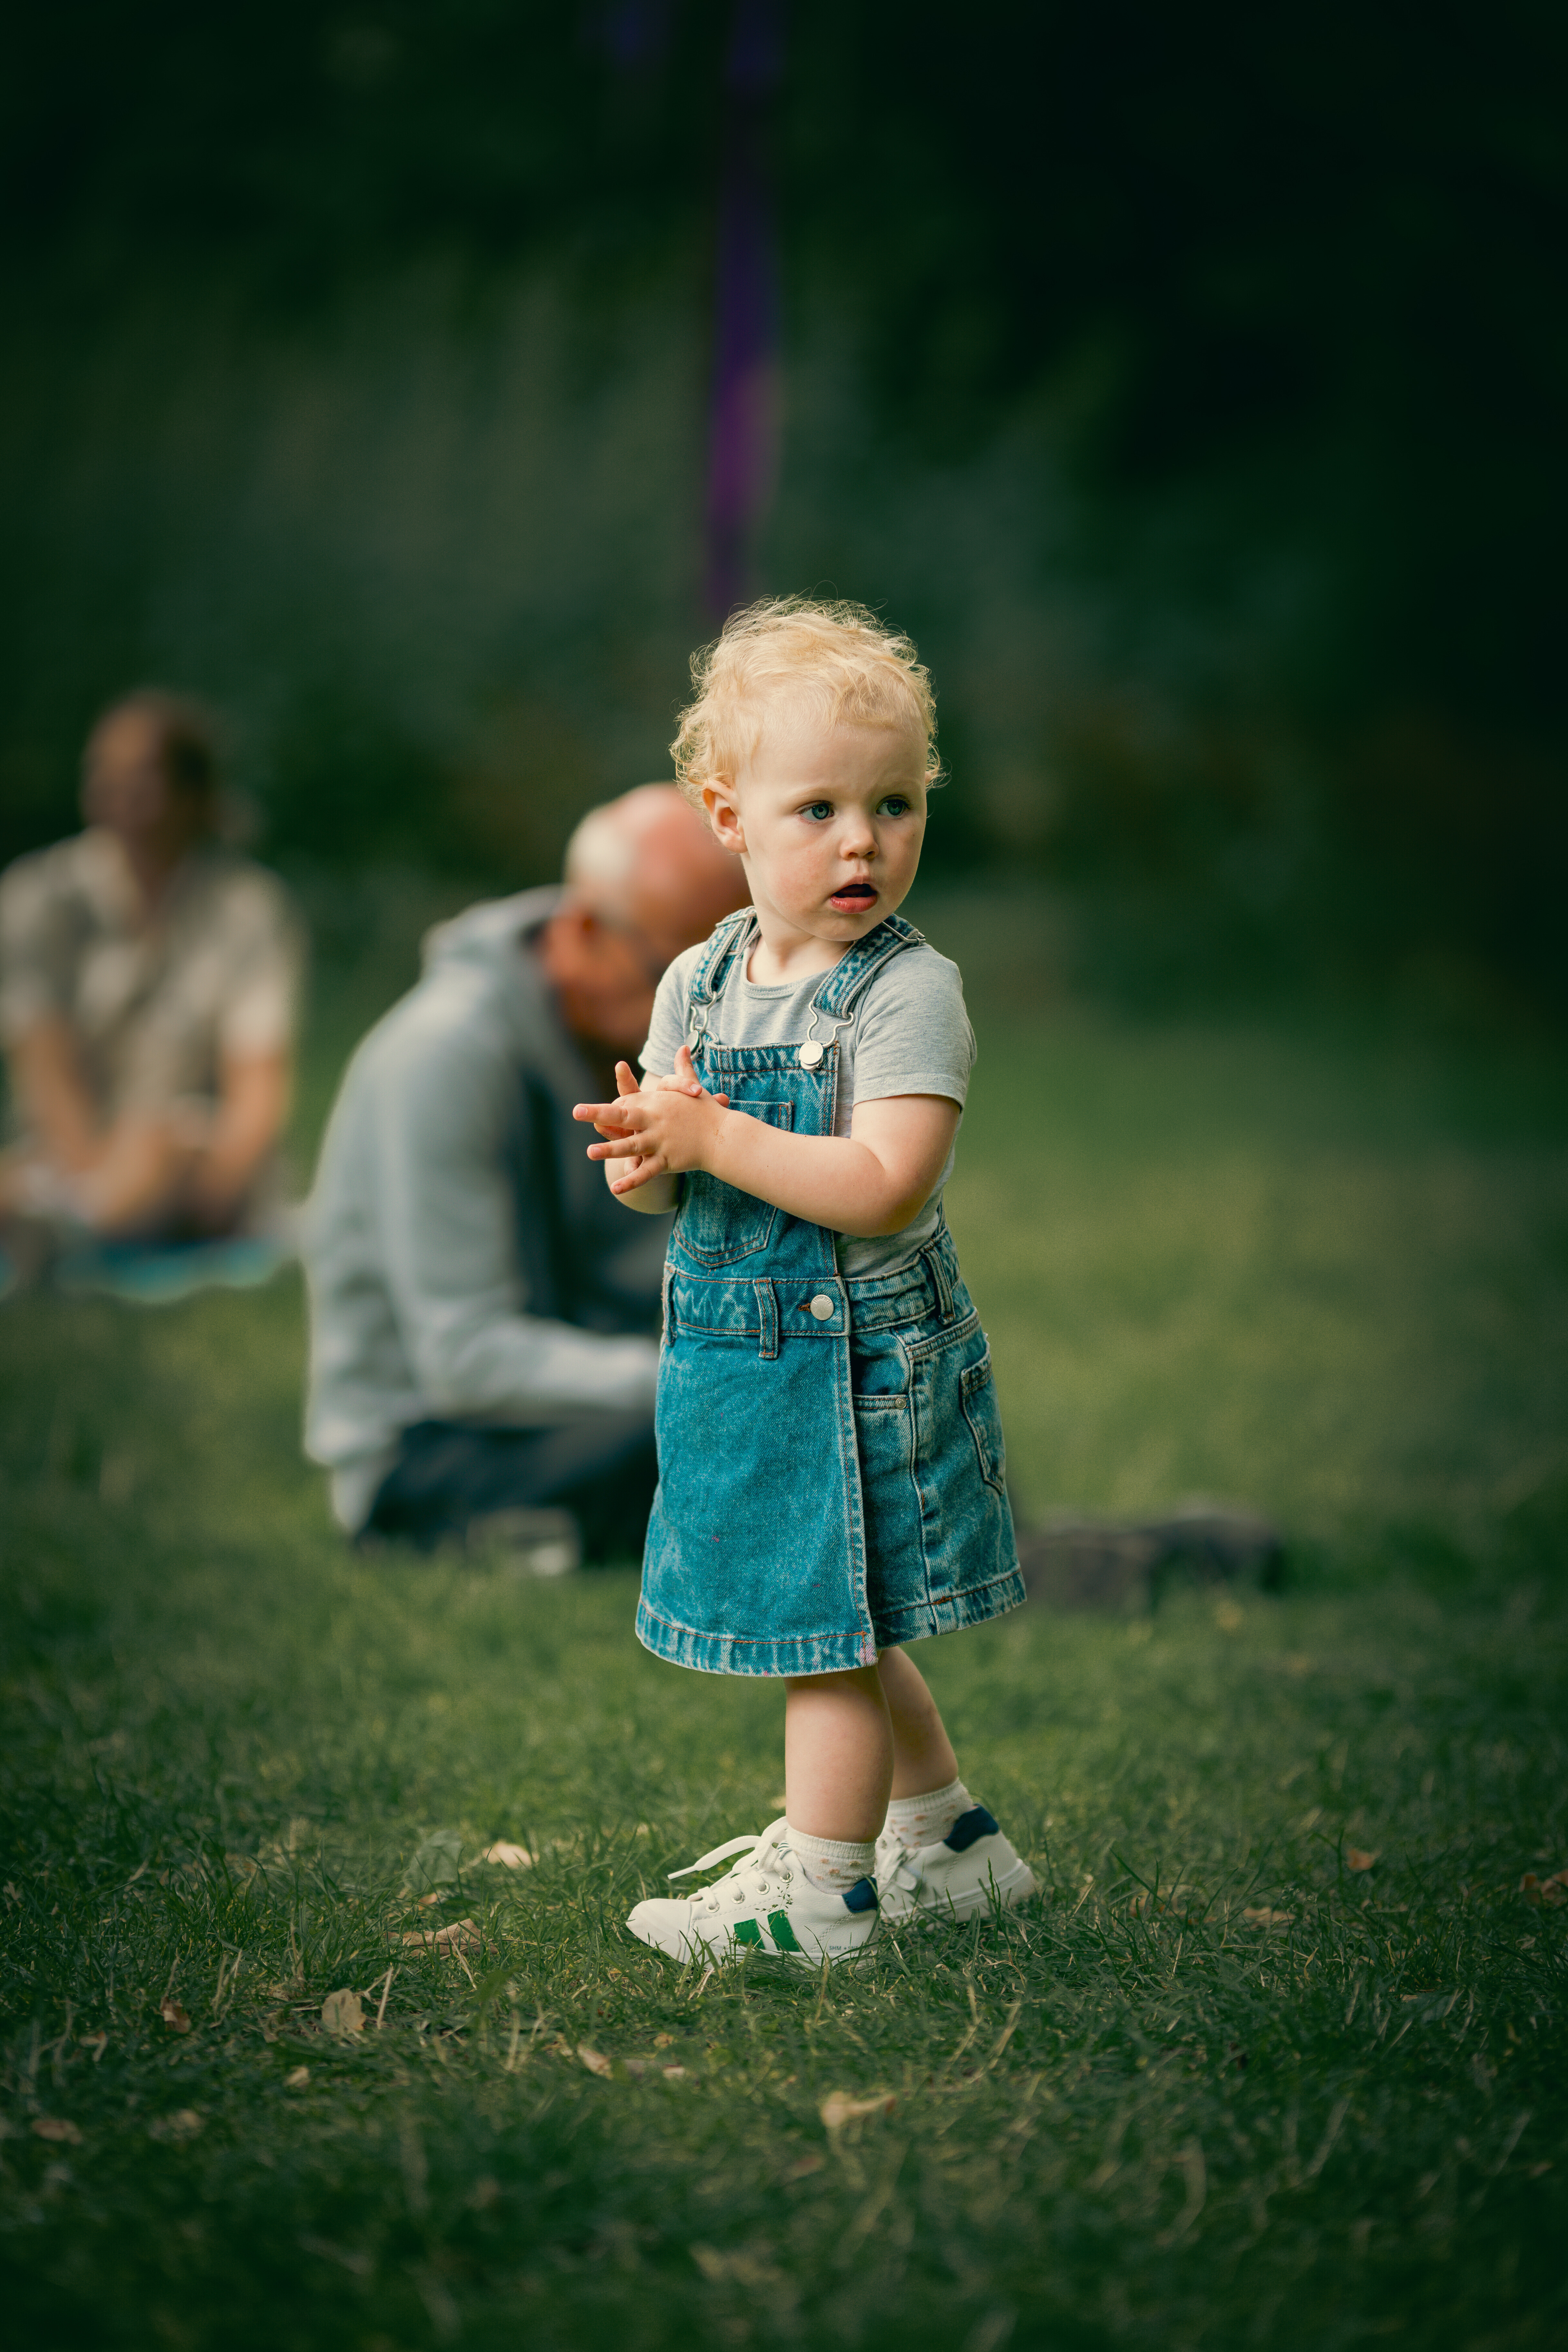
point(836, 657)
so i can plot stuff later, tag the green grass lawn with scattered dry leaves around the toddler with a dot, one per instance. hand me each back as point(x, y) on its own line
point(1322, 1276)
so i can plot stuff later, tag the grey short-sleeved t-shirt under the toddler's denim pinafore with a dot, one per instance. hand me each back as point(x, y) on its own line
point(909, 1036)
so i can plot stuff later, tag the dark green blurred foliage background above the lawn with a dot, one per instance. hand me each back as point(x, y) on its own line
point(1188, 380)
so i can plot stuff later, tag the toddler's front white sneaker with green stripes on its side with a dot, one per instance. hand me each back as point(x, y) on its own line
point(765, 1904)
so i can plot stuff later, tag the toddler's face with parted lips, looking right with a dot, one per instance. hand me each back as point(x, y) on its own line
point(829, 824)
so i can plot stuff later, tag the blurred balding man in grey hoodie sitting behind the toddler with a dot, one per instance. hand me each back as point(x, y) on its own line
point(483, 1323)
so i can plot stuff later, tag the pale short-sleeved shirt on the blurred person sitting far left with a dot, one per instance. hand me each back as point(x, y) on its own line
point(156, 1008)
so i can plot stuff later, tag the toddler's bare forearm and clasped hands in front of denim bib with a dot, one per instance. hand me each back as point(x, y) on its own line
point(871, 1182)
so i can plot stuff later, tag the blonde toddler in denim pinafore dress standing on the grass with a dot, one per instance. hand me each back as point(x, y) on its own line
point(829, 1434)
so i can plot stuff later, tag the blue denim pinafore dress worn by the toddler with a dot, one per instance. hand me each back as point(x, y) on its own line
point(829, 1450)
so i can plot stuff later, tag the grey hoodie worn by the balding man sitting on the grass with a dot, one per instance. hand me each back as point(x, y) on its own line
point(467, 1259)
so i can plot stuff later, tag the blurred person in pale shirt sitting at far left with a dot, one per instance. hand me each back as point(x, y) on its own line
point(149, 989)
